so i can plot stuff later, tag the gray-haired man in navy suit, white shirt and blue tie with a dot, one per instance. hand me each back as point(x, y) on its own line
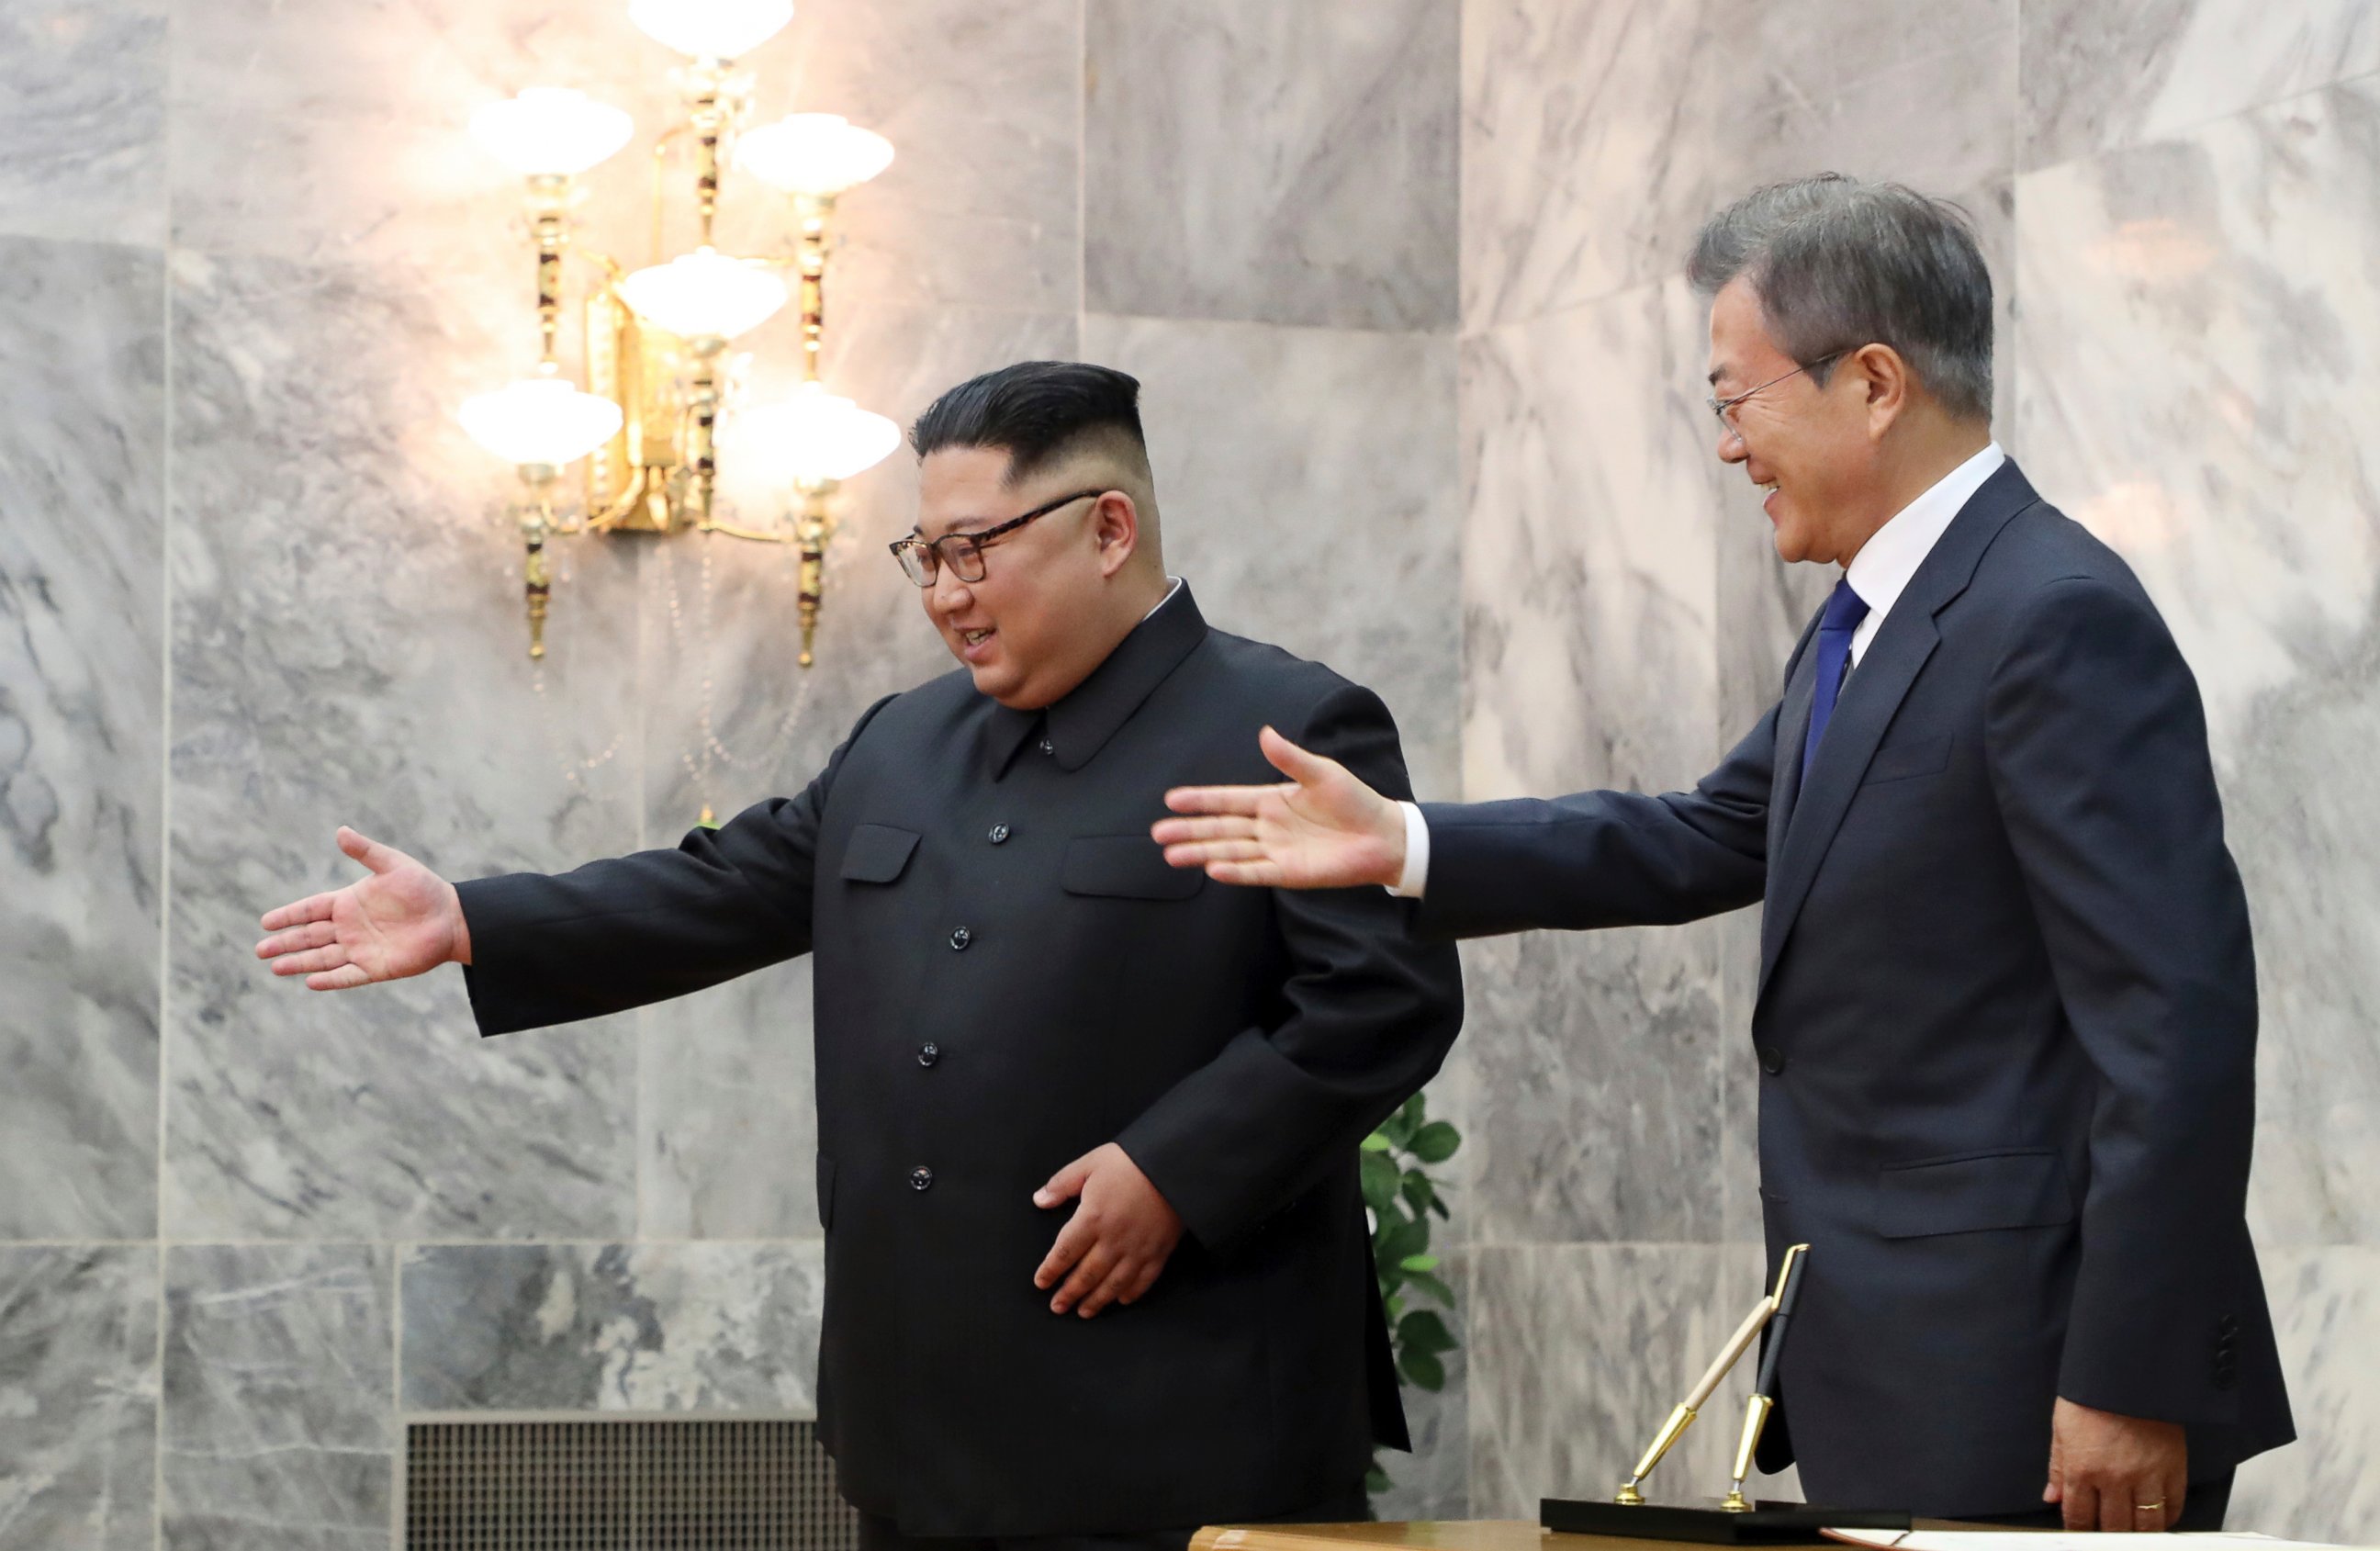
point(2008, 1005)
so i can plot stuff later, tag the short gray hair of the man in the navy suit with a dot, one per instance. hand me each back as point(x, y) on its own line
point(1839, 265)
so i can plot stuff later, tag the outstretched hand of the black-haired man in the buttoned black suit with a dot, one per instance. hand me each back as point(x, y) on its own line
point(399, 922)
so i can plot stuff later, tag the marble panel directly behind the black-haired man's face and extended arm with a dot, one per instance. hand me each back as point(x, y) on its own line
point(729, 1122)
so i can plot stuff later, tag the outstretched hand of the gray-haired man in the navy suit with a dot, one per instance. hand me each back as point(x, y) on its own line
point(1320, 831)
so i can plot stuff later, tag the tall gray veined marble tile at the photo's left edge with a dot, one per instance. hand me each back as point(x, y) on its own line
point(82, 748)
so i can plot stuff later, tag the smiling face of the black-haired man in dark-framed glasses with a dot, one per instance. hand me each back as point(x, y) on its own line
point(1058, 594)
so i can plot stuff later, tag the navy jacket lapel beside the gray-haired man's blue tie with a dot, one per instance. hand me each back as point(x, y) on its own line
point(1869, 701)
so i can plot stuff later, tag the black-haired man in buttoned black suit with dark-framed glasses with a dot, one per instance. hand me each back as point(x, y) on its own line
point(1022, 1007)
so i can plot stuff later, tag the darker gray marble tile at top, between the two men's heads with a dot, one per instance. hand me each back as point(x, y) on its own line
point(1272, 163)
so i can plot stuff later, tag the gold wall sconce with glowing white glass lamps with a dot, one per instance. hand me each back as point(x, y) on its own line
point(649, 413)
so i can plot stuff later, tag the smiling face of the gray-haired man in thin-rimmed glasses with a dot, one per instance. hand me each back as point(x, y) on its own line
point(1812, 448)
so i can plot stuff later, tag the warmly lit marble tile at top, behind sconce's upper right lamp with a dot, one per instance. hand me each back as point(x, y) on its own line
point(984, 106)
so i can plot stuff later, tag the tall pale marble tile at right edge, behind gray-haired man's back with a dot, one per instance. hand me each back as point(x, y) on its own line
point(2196, 353)
